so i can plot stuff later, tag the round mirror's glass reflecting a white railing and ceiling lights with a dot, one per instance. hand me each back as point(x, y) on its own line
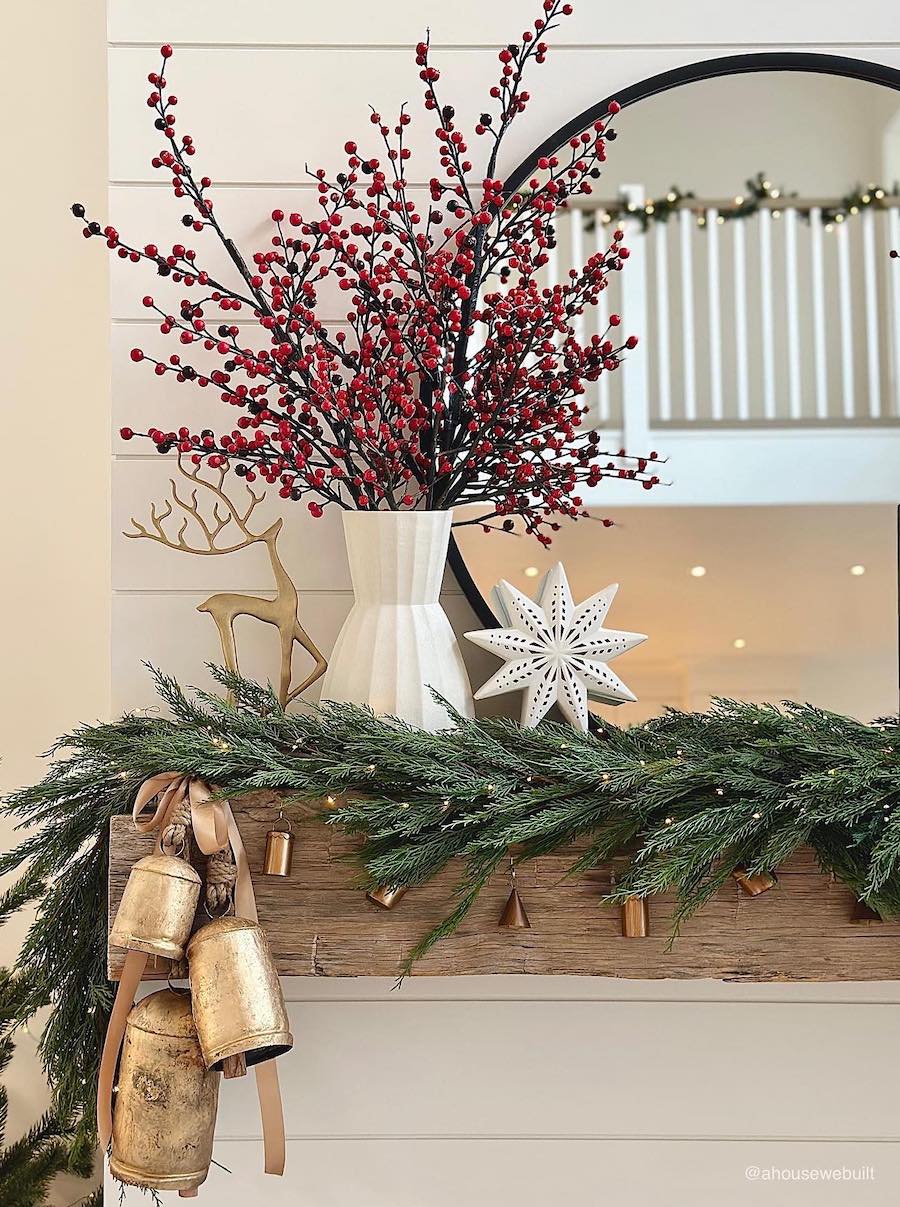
point(761, 212)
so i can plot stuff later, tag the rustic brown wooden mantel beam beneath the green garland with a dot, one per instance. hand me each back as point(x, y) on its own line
point(320, 924)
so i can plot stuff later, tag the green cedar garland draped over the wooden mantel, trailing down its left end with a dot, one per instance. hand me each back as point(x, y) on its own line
point(686, 798)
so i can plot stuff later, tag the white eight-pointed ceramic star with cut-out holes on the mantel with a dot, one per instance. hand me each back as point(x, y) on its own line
point(554, 650)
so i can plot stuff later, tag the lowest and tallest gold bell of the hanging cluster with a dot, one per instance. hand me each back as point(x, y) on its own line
point(166, 1109)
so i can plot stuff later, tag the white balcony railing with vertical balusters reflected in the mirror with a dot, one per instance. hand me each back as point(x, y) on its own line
point(774, 319)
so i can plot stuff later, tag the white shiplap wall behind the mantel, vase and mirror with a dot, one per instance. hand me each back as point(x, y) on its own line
point(487, 1092)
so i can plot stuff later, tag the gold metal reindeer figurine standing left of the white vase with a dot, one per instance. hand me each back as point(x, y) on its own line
point(280, 613)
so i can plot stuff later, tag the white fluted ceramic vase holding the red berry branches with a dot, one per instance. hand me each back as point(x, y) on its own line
point(398, 643)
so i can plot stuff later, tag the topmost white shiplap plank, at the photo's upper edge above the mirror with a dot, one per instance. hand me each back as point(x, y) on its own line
point(279, 22)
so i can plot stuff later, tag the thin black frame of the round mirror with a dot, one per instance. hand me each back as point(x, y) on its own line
point(691, 73)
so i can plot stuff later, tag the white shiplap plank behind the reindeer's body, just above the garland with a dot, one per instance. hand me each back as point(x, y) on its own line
point(167, 631)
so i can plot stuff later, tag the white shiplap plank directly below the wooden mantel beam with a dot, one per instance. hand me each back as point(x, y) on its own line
point(580, 1069)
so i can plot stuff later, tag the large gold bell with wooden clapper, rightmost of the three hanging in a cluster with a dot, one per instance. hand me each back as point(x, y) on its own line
point(238, 1001)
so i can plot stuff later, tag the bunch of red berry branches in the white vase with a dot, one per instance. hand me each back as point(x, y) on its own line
point(457, 376)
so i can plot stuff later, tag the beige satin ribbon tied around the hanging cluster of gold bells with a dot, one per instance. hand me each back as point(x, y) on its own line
point(215, 829)
